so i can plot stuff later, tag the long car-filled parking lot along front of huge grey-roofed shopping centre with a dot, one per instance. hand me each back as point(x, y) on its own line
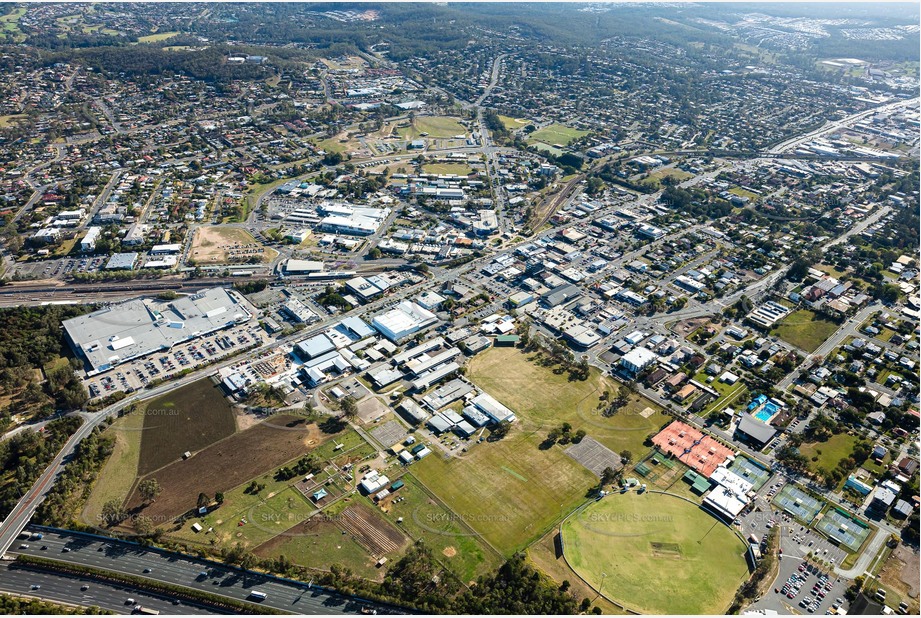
point(134, 375)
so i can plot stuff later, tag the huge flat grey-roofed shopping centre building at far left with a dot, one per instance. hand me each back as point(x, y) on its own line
point(135, 328)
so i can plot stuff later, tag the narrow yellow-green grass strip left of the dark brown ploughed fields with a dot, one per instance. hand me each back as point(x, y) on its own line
point(117, 477)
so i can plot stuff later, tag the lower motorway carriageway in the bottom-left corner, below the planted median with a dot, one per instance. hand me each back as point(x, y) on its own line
point(16, 579)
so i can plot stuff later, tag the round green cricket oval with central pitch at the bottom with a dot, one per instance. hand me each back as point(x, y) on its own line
point(660, 554)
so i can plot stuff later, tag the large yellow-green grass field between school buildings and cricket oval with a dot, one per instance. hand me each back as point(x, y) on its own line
point(510, 491)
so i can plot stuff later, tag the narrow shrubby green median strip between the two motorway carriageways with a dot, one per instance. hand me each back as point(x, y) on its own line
point(147, 585)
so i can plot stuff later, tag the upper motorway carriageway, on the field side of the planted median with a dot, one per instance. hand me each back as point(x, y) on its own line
point(166, 567)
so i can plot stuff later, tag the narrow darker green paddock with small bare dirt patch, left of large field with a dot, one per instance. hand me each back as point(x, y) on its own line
point(453, 543)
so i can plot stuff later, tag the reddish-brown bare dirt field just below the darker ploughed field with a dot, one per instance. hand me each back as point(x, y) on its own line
point(226, 464)
